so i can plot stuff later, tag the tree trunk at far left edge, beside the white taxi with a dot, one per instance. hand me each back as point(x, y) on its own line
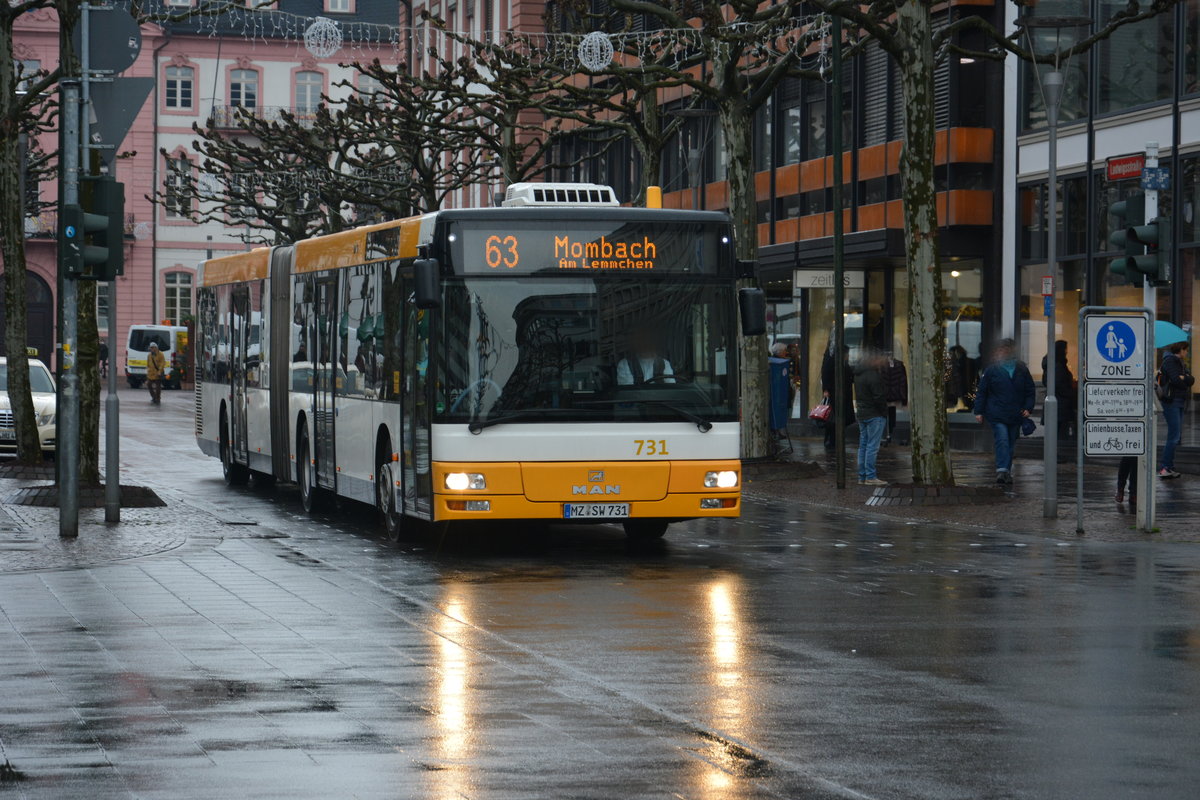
point(13, 244)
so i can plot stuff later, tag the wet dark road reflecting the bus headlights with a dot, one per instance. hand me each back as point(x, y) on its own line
point(793, 654)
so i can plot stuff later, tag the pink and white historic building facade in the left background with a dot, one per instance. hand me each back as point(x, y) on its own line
point(199, 79)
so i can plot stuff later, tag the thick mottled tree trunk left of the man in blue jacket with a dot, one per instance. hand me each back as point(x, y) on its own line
point(927, 334)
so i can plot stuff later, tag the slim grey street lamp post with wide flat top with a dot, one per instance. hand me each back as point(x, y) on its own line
point(1051, 39)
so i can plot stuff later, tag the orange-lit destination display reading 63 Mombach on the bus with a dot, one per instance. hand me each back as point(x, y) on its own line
point(587, 249)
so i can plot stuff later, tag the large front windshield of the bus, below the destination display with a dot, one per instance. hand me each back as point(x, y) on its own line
point(587, 350)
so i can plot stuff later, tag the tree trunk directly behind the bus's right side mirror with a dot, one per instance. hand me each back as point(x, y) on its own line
point(745, 212)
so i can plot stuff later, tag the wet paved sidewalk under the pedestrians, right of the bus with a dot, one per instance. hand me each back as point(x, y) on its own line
point(1105, 520)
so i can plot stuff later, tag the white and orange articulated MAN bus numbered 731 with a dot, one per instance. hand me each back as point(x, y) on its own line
point(556, 359)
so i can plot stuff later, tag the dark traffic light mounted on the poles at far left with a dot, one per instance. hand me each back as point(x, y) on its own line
point(92, 236)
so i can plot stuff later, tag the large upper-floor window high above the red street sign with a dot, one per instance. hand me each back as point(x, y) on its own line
point(1136, 65)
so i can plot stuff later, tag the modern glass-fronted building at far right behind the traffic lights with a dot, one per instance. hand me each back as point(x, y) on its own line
point(1141, 86)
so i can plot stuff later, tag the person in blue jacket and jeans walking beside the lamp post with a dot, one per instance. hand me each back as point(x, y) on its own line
point(1005, 399)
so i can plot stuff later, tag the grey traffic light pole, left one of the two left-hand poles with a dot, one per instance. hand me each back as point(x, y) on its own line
point(68, 446)
